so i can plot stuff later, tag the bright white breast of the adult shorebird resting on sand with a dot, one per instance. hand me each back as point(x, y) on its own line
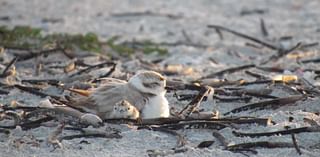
point(156, 107)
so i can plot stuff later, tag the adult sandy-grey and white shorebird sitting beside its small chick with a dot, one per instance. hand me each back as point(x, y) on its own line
point(145, 91)
